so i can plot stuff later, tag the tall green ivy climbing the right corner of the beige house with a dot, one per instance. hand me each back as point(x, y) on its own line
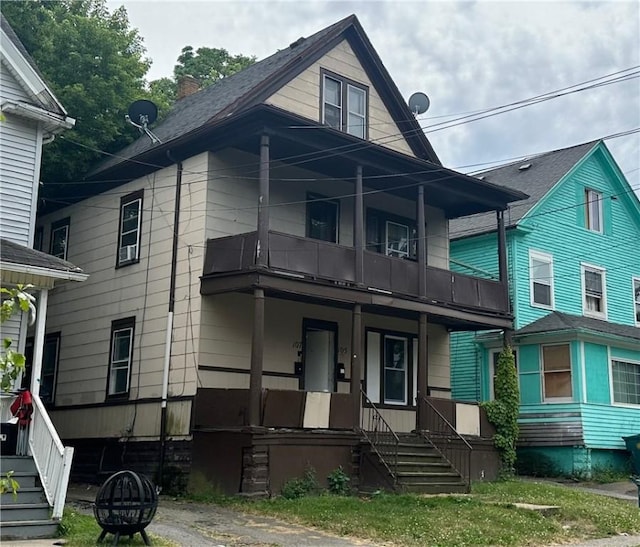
point(503, 411)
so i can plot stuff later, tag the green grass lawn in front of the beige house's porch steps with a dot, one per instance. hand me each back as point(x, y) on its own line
point(486, 517)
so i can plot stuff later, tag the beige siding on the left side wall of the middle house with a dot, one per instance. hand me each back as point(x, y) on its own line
point(83, 313)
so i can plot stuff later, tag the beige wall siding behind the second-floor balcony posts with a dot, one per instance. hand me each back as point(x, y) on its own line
point(233, 196)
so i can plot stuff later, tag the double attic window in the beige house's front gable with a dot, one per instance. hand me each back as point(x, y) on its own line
point(344, 105)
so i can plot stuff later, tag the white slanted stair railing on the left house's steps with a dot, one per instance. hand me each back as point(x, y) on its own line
point(52, 459)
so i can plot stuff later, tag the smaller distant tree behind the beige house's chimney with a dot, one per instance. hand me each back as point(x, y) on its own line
point(207, 65)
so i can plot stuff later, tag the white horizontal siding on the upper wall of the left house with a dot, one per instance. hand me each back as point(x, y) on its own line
point(20, 142)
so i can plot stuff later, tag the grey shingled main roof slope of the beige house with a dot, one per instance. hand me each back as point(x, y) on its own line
point(198, 109)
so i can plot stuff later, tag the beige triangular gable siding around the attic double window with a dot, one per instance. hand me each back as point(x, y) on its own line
point(302, 96)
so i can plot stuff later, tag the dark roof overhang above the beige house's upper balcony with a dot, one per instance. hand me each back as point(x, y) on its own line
point(300, 141)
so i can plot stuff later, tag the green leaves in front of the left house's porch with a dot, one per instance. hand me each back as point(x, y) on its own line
point(12, 363)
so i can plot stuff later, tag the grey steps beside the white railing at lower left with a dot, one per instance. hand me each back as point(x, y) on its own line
point(27, 514)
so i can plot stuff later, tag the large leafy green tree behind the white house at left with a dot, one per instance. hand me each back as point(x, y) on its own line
point(94, 63)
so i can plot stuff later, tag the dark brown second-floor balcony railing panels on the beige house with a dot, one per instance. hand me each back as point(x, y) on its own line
point(326, 270)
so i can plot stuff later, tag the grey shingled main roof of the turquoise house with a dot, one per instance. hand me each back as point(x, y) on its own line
point(545, 171)
